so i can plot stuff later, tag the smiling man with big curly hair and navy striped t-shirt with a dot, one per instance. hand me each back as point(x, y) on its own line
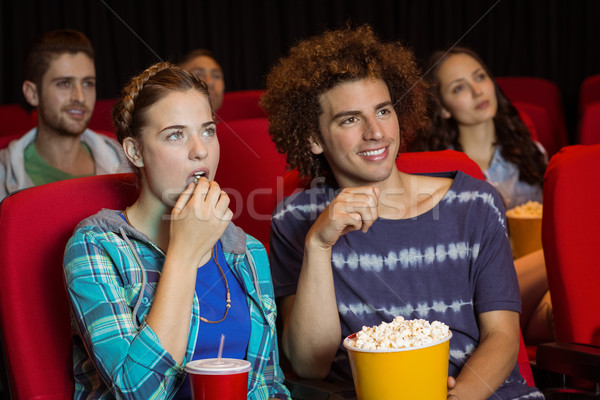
point(371, 242)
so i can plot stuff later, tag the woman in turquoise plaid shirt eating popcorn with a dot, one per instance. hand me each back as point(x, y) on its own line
point(155, 286)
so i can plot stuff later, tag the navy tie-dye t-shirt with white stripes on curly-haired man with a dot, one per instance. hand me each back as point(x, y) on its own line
point(449, 264)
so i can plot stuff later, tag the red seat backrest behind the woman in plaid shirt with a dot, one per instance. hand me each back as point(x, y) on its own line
point(35, 225)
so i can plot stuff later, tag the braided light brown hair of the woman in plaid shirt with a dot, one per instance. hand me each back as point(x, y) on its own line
point(144, 90)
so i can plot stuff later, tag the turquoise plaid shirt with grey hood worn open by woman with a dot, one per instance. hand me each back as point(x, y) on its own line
point(115, 353)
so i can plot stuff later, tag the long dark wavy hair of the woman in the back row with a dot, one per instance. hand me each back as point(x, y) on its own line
point(512, 135)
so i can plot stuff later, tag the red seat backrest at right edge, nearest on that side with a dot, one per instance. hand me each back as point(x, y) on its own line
point(571, 239)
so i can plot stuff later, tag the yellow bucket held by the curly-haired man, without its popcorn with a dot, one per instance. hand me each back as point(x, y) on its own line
point(408, 373)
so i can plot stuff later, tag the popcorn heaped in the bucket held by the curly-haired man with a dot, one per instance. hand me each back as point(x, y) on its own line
point(400, 334)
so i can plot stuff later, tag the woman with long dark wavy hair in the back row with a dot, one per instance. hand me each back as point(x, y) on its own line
point(469, 113)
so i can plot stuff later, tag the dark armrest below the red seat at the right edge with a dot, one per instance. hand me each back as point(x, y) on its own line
point(572, 359)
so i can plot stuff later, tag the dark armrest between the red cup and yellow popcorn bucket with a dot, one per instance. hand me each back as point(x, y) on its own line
point(316, 389)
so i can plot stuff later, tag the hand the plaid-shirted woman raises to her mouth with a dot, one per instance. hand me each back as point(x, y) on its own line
point(198, 220)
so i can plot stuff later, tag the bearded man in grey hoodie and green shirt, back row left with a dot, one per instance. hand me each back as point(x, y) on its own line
point(60, 82)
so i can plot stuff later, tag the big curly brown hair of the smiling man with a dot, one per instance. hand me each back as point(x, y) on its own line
point(315, 66)
